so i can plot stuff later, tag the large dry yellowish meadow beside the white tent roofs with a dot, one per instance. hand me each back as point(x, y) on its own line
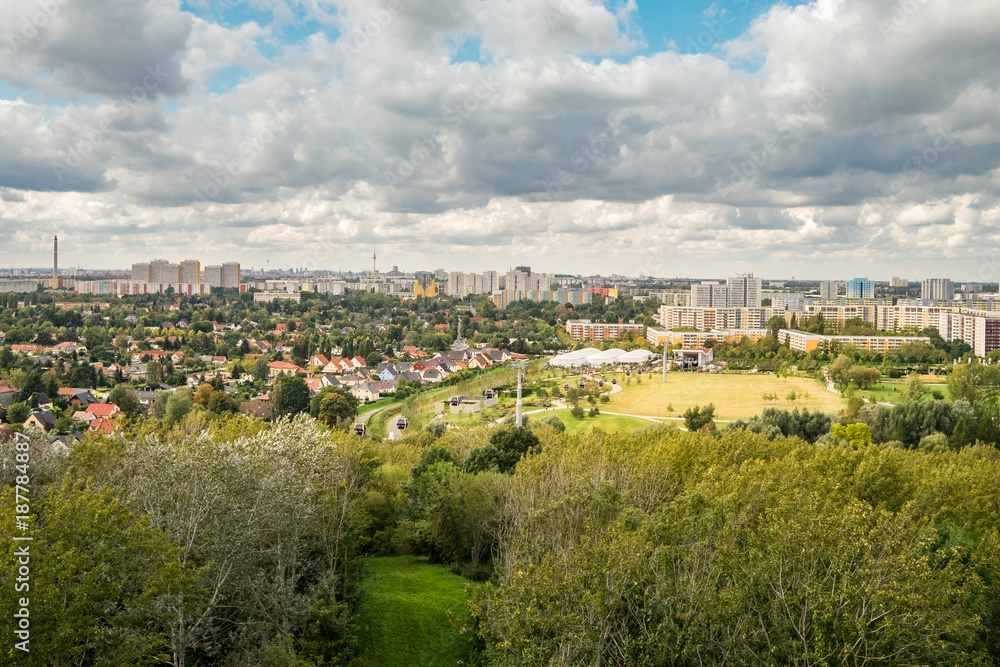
point(735, 396)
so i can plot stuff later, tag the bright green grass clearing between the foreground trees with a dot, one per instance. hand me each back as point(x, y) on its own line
point(404, 616)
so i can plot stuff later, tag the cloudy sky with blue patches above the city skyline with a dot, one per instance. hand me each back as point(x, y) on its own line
point(837, 138)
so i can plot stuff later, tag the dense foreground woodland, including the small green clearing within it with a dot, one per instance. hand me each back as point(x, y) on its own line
point(793, 537)
